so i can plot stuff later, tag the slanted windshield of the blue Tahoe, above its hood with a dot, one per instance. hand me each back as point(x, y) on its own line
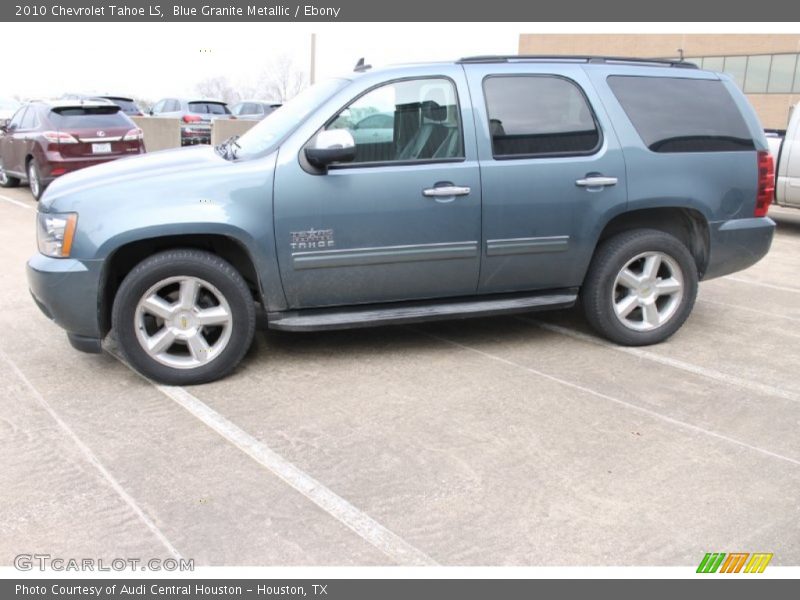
point(261, 138)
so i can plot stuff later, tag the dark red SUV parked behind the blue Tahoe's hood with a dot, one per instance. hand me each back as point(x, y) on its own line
point(46, 139)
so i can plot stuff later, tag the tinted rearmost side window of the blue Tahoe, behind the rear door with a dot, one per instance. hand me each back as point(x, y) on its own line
point(682, 115)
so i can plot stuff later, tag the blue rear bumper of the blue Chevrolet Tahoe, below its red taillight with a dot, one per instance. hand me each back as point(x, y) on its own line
point(738, 244)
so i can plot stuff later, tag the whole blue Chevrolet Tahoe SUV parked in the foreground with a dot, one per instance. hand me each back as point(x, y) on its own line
point(503, 184)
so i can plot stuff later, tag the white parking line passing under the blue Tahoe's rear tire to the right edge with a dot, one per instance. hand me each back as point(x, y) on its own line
point(752, 386)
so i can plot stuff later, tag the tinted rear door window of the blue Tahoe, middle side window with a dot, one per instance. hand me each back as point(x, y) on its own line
point(538, 116)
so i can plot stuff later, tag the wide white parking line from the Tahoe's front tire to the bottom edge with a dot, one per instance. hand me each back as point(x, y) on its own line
point(363, 525)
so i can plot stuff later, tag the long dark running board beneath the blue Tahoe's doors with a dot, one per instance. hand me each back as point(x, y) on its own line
point(320, 319)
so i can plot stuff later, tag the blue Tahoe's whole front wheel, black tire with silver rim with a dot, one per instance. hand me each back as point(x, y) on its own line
point(184, 317)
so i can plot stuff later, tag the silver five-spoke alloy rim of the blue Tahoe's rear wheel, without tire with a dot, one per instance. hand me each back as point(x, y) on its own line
point(647, 291)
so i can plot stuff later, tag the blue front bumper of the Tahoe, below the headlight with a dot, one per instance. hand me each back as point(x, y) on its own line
point(67, 291)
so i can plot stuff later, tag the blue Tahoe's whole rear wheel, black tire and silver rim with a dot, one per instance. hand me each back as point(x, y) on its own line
point(641, 287)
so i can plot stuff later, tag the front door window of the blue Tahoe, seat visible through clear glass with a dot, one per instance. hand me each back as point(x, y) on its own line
point(404, 121)
